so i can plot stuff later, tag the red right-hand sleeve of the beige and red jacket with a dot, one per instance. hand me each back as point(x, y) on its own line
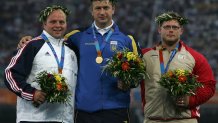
point(205, 75)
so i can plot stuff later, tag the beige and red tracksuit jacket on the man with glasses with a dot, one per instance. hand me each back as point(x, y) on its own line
point(159, 105)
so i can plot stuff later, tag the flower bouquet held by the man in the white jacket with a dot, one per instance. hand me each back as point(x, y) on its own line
point(54, 86)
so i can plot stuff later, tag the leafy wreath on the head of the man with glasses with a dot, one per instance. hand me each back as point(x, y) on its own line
point(171, 16)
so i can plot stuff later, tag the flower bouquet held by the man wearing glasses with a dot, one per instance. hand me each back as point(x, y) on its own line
point(180, 82)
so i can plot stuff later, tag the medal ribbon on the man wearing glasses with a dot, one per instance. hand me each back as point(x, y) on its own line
point(164, 70)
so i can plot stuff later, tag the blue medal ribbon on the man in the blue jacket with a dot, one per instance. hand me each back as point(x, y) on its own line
point(97, 46)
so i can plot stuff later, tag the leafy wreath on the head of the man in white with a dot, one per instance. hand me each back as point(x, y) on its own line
point(48, 10)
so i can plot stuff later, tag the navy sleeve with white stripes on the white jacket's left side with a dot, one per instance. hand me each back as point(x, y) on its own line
point(17, 72)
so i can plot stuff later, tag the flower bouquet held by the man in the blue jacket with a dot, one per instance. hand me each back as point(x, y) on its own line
point(127, 67)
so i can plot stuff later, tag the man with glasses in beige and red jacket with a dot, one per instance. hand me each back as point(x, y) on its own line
point(159, 106)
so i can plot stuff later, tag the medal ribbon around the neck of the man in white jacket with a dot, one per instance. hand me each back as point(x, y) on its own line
point(61, 63)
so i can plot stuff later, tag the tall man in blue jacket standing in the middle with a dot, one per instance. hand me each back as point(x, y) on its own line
point(98, 99)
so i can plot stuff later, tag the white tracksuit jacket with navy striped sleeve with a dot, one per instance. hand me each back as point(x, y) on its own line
point(20, 74)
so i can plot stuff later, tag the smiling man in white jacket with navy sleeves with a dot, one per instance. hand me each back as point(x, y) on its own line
point(37, 56)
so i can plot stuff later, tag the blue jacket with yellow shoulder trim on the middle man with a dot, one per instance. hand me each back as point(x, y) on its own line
point(95, 90)
